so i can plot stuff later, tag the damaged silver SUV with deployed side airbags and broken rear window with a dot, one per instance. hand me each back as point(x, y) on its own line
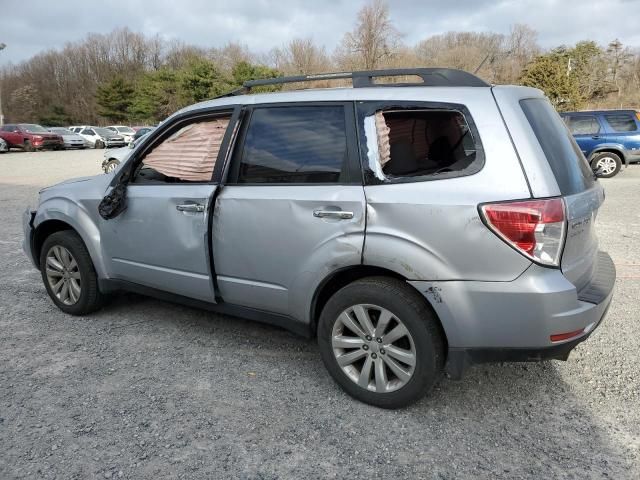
point(413, 228)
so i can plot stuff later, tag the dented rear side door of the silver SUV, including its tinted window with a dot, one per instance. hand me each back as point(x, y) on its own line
point(292, 209)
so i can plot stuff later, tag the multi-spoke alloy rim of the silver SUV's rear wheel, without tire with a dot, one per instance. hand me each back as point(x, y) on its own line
point(373, 348)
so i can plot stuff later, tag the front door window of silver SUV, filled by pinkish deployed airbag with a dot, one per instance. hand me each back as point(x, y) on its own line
point(187, 155)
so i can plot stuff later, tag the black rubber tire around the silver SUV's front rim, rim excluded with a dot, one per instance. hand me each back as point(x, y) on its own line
point(90, 298)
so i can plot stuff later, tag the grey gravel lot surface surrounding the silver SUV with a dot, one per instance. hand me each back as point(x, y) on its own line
point(147, 389)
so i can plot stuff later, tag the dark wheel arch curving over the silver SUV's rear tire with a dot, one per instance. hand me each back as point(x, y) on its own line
point(344, 276)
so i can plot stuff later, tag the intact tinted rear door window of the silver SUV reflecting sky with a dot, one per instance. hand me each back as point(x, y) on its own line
point(305, 144)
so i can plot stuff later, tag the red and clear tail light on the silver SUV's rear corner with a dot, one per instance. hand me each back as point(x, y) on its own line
point(535, 228)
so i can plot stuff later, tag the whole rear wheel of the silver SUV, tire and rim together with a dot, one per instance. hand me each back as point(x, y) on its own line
point(381, 342)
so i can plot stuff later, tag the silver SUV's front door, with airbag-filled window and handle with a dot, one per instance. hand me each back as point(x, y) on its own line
point(161, 240)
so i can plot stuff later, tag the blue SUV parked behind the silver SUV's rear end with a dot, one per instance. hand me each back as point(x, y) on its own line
point(608, 138)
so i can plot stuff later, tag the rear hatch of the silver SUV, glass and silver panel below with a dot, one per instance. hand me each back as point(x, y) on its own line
point(582, 193)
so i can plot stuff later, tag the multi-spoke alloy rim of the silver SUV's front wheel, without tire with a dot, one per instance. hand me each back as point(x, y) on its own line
point(63, 275)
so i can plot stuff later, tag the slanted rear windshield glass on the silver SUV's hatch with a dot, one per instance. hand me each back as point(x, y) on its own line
point(565, 158)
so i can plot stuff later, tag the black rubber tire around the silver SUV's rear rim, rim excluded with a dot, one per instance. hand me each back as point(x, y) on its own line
point(405, 304)
